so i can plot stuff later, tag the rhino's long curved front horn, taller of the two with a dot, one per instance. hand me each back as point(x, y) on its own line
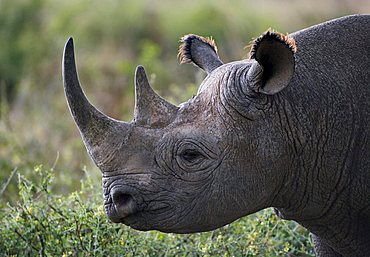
point(99, 132)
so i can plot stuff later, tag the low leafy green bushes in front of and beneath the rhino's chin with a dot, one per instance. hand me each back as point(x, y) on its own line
point(45, 224)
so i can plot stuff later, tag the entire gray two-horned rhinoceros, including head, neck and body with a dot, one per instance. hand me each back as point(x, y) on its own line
point(283, 129)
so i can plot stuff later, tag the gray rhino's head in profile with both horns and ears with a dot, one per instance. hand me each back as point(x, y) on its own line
point(199, 165)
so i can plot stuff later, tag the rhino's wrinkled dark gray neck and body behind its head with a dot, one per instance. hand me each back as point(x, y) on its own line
point(327, 112)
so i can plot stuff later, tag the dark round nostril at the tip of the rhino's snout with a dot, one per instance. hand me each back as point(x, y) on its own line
point(123, 203)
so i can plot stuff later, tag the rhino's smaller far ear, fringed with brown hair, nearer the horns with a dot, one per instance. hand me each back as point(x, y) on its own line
point(200, 51)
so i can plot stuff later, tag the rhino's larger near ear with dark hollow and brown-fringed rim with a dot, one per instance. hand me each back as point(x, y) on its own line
point(275, 62)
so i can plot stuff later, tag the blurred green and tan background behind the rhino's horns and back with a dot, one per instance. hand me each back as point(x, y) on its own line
point(111, 38)
